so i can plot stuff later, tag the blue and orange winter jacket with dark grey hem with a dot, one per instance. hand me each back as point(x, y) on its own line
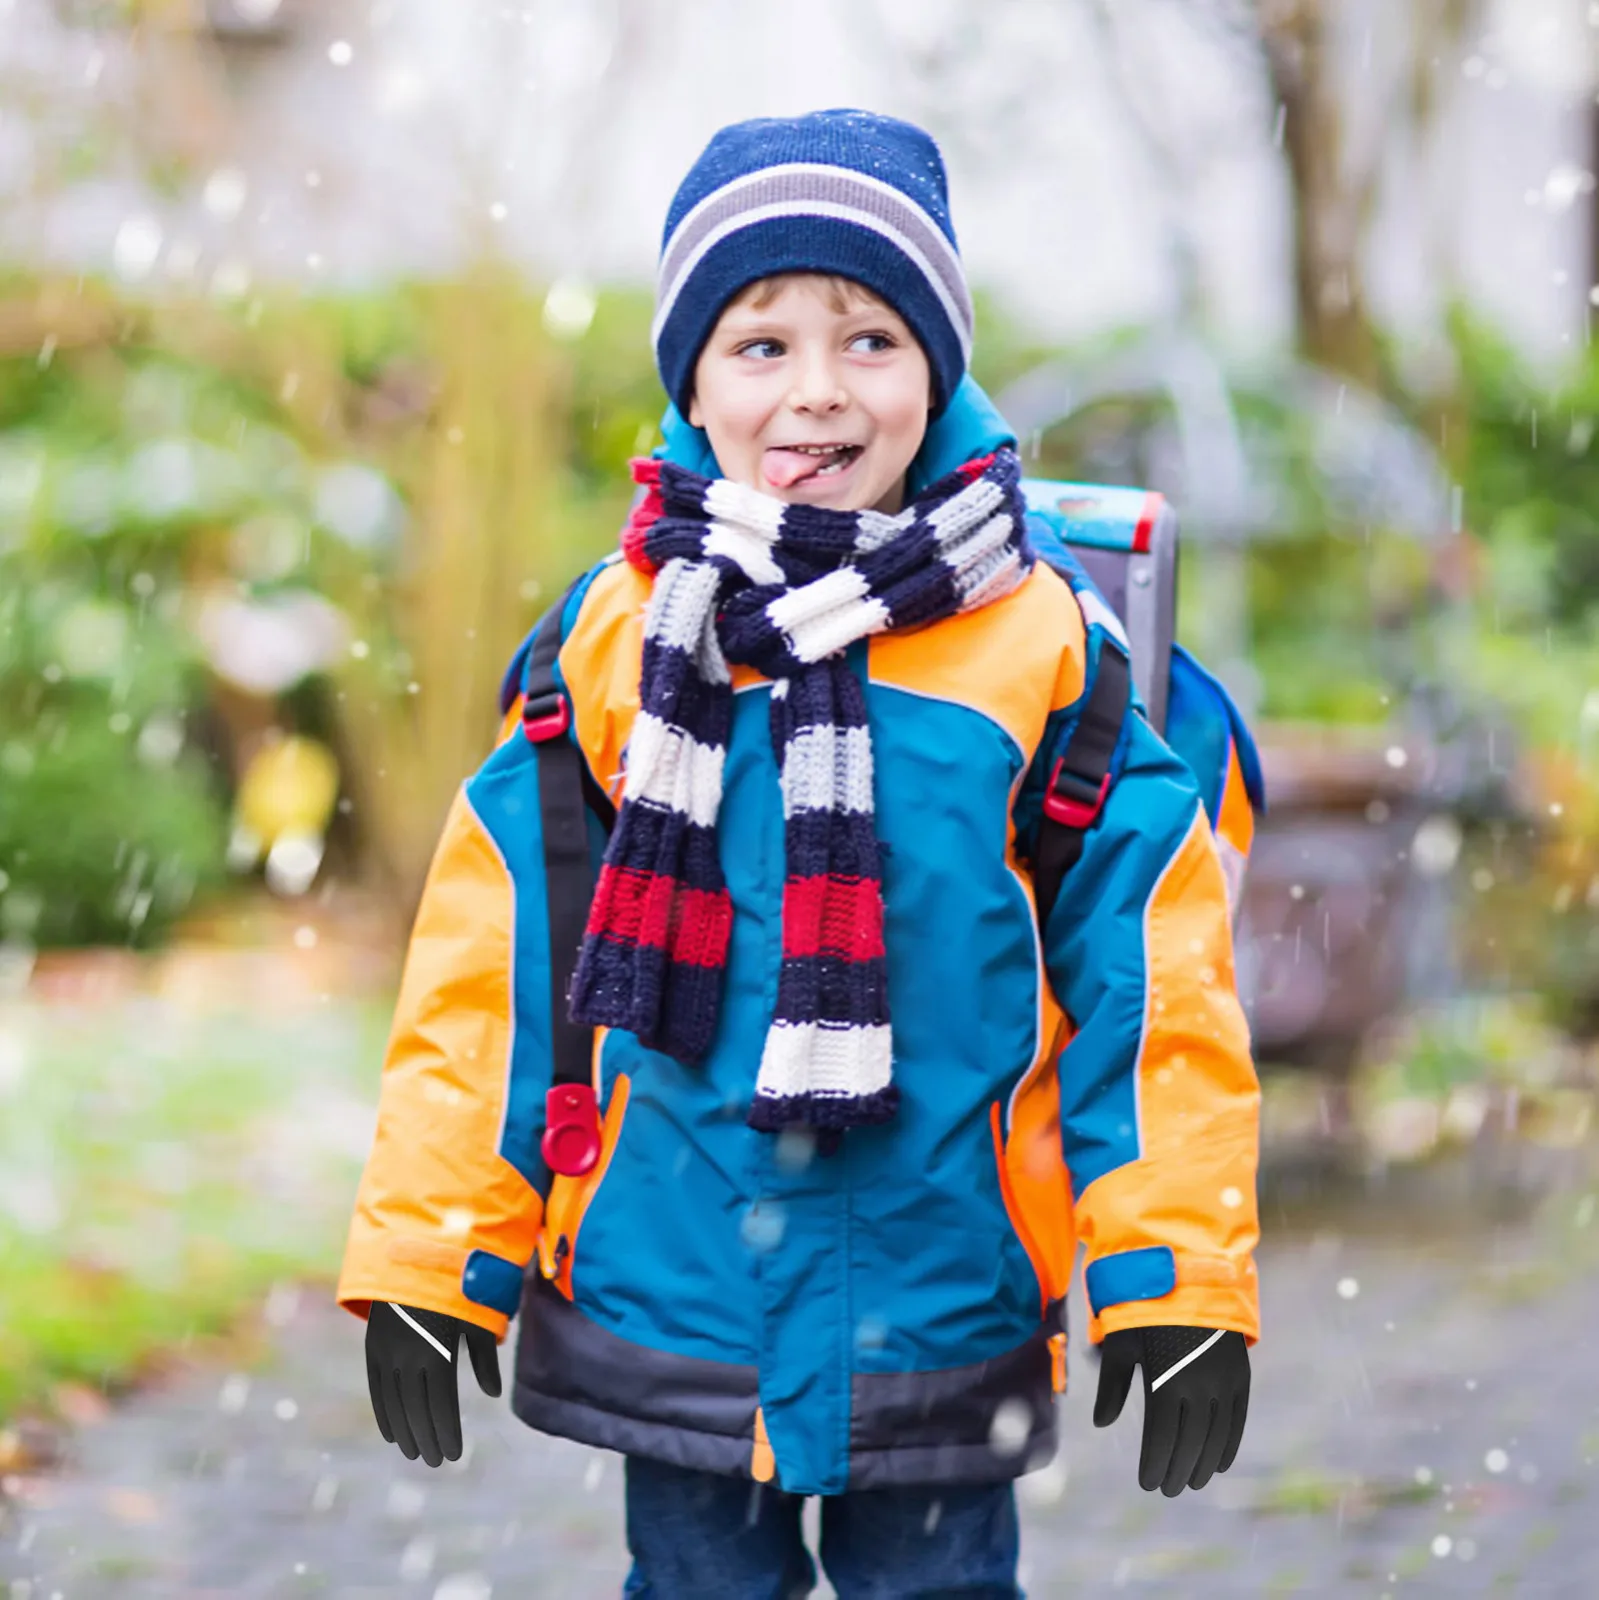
point(894, 1313)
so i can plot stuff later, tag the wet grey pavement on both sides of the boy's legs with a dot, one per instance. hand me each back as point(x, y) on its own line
point(1425, 1420)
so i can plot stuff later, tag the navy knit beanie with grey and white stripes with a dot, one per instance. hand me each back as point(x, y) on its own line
point(836, 191)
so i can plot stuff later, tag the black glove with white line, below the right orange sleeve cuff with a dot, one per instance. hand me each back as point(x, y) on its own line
point(1196, 1398)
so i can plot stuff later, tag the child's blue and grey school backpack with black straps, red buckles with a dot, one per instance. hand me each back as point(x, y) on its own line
point(1116, 548)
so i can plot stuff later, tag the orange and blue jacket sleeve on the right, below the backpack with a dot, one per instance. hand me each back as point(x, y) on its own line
point(1160, 1098)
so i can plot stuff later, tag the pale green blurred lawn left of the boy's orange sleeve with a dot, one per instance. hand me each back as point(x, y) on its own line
point(159, 1170)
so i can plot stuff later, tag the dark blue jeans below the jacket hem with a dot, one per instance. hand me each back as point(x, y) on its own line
point(705, 1537)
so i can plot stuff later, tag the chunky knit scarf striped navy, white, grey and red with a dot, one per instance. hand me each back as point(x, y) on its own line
point(743, 577)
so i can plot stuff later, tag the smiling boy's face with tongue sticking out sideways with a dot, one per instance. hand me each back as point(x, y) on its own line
point(814, 362)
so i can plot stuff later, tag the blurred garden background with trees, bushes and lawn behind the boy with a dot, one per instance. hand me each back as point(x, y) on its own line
point(324, 346)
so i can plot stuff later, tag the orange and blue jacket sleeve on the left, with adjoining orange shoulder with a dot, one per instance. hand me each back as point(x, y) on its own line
point(451, 1204)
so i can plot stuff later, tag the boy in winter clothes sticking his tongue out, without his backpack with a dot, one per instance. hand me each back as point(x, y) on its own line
point(844, 1158)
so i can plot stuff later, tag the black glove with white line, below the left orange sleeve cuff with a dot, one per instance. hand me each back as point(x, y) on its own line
point(411, 1375)
